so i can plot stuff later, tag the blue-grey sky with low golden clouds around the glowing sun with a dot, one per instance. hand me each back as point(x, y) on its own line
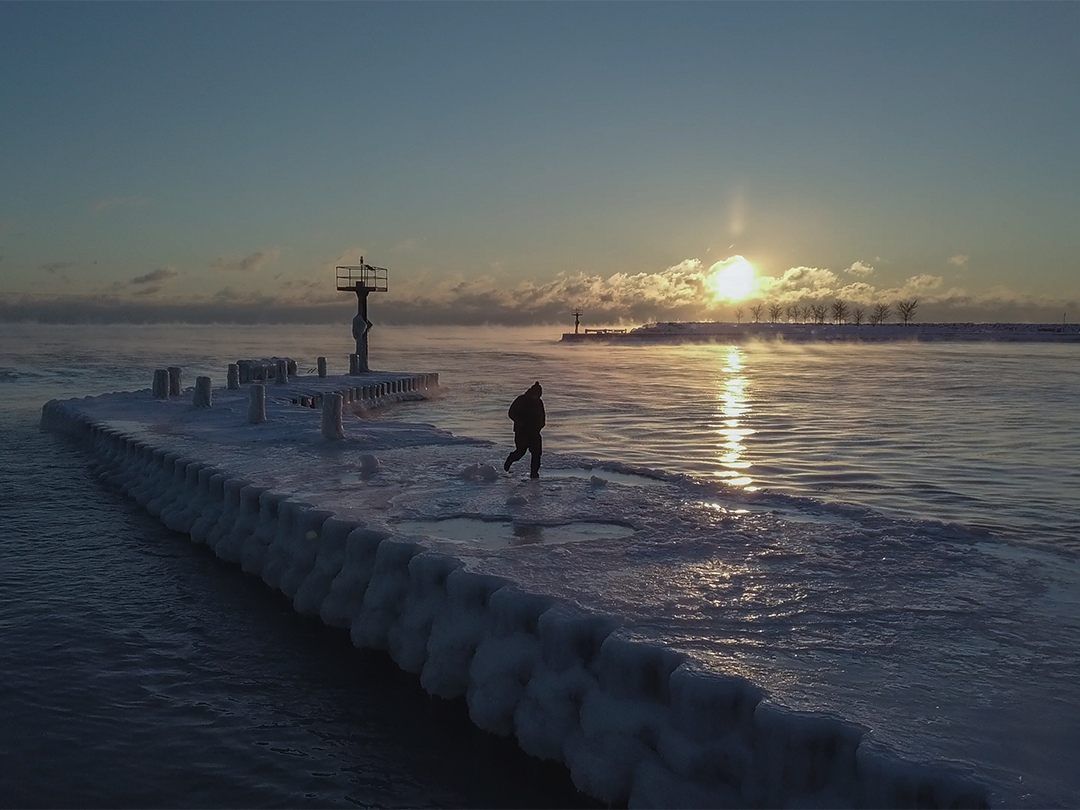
point(510, 163)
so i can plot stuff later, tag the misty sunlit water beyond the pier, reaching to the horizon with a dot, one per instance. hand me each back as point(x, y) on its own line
point(976, 434)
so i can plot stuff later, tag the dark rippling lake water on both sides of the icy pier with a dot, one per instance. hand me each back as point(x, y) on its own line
point(136, 647)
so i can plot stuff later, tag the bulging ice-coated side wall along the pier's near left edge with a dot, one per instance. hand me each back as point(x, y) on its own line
point(636, 723)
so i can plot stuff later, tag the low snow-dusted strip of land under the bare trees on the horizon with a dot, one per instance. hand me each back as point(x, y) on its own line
point(711, 332)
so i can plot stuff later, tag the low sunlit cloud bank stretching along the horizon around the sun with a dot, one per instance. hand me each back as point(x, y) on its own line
point(680, 292)
